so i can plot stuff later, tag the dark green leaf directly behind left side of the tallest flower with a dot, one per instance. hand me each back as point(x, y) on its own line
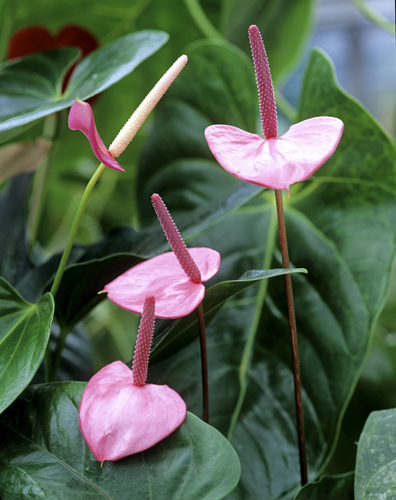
point(216, 86)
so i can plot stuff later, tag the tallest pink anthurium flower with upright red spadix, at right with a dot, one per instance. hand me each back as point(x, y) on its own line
point(270, 161)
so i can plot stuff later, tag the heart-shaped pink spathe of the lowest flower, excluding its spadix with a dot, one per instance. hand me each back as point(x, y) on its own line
point(118, 418)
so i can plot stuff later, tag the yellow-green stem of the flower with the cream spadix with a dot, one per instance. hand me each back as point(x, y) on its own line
point(65, 257)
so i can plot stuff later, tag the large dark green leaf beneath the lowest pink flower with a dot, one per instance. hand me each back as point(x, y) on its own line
point(43, 453)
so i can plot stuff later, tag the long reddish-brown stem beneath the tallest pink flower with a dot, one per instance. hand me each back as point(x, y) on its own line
point(293, 338)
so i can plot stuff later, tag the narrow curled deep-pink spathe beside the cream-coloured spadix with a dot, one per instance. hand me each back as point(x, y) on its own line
point(81, 118)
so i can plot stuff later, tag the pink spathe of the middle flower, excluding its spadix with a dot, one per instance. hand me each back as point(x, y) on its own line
point(176, 295)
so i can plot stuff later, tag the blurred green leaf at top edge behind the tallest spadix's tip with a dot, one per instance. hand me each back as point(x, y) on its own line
point(284, 26)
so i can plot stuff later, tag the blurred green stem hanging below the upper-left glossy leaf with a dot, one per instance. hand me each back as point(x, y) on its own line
point(51, 132)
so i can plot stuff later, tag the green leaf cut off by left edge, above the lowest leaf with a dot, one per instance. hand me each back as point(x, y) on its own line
point(24, 334)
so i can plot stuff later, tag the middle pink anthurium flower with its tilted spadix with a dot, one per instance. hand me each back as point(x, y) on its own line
point(174, 279)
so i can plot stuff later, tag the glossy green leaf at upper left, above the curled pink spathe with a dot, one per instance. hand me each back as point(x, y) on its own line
point(30, 88)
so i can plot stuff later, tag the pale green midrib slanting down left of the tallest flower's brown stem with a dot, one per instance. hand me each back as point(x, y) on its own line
point(247, 352)
